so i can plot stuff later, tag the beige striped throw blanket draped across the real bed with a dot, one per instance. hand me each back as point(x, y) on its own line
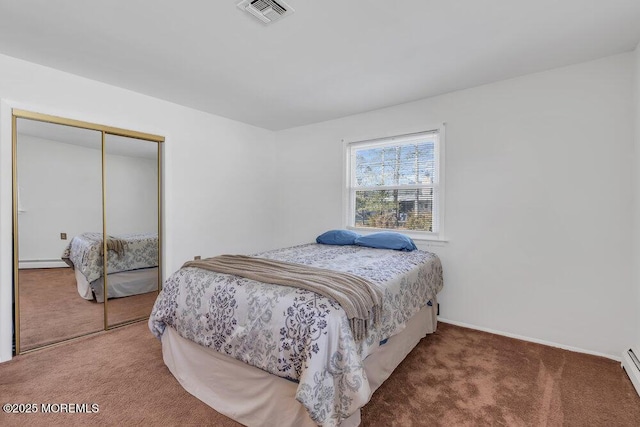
point(359, 298)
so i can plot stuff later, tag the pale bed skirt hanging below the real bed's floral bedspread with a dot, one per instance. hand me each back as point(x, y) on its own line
point(255, 397)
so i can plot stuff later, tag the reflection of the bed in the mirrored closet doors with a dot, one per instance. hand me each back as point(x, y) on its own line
point(132, 264)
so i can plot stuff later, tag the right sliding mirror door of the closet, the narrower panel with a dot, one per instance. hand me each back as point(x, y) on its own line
point(132, 227)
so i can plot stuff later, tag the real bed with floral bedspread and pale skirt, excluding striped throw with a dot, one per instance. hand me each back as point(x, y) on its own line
point(266, 354)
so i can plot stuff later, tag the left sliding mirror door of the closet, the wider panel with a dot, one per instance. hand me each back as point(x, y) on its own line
point(58, 197)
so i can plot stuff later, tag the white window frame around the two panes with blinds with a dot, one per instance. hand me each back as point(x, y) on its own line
point(349, 189)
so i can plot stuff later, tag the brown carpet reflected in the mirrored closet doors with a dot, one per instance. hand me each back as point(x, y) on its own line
point(51, 310)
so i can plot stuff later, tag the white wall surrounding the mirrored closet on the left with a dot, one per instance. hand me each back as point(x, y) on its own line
point(219, 174)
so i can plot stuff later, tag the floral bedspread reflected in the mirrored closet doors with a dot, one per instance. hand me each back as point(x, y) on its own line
point(84, 253)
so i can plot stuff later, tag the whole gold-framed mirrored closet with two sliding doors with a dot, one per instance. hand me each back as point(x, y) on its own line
point(86, 224)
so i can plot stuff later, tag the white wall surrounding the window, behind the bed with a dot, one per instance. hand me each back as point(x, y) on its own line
point(538, 206)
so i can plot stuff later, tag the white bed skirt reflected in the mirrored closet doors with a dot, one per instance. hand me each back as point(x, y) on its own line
point(125, 283)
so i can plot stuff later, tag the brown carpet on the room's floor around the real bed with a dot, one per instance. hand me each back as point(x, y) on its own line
point(455, 377)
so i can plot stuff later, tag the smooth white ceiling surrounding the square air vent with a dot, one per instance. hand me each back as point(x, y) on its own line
point(331, 58)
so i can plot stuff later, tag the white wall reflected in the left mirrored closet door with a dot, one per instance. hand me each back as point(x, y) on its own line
point(60, 192)
